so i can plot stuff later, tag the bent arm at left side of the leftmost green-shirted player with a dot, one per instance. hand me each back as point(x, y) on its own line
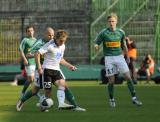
point(21, 48)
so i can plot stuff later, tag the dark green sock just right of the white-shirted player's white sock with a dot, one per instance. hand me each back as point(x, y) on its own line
point(69, 97)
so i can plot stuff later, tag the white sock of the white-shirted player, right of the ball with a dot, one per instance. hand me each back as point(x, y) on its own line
point(61, 94)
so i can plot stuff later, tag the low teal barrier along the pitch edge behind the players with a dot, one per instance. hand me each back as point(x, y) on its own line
point(83, 72)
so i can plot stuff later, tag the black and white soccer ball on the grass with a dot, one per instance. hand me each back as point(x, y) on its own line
point(46, 103)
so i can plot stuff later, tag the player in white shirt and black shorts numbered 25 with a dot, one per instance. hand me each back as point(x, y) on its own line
point(53, 56)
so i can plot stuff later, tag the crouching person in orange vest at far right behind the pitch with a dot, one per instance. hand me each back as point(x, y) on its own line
point(147, 67)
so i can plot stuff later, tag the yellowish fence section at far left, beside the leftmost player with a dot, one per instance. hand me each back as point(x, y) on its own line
point(8, 43)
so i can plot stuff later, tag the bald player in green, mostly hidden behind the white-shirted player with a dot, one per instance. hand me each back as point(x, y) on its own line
point(48, 36)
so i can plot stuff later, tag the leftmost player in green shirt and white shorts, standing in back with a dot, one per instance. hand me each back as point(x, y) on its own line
point(29, 63)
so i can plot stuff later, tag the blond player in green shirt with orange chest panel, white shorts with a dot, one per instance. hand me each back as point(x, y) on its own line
point(113, 45)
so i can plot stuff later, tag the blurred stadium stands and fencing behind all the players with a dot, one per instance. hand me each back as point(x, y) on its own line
point(83, 19)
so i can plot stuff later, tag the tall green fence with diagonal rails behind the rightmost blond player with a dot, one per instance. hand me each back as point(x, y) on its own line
point(136, 17)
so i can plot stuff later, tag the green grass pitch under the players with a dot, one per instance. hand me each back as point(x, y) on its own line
point(90, 95)
